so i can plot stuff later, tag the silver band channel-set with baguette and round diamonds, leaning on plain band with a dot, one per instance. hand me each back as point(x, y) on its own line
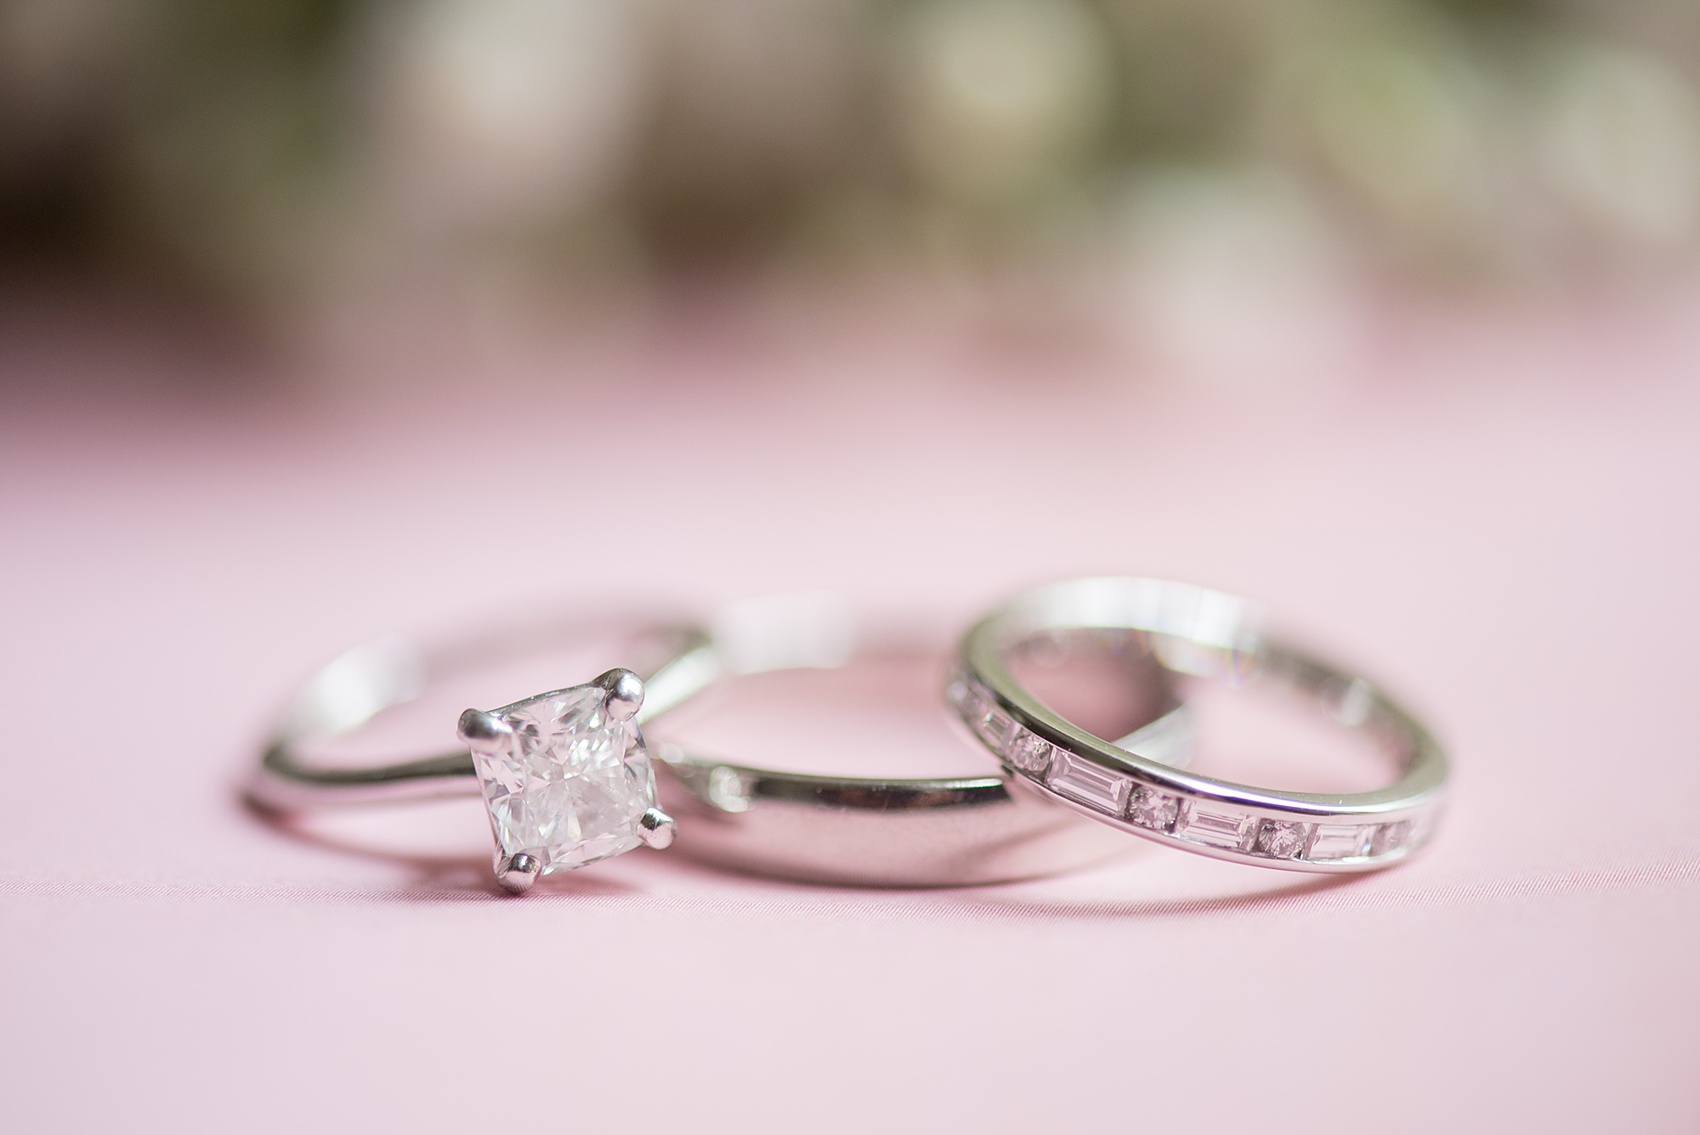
point(1201, 633)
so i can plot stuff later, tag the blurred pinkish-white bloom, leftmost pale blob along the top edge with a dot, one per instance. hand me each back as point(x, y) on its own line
point(487, 113)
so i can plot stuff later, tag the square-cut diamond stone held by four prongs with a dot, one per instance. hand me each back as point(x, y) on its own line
point(570, 784)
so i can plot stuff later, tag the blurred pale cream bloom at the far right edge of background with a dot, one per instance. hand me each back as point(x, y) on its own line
point(1619, 135)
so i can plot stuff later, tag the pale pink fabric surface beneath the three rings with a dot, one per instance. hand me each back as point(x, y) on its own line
point(1499, 521)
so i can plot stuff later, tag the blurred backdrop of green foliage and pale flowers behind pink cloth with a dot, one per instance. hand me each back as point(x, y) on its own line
point(288, 154)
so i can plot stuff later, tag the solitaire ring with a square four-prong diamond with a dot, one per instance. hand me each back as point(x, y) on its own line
point(565, 776)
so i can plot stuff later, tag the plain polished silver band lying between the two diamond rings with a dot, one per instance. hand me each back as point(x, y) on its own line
point(890, 832)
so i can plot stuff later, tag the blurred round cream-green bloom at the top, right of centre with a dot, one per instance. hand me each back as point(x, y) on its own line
point(999, 98)
